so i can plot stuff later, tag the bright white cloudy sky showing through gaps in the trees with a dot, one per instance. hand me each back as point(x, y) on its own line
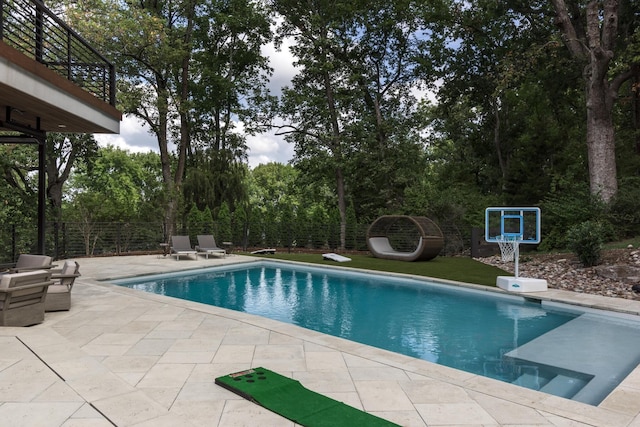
point(263, 148)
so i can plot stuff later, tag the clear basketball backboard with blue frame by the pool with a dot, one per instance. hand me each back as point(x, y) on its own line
point(512, 223)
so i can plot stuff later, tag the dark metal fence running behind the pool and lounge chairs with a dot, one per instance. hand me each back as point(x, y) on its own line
point(75, 239)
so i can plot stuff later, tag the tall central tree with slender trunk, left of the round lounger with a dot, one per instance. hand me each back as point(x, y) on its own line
point(352, 96)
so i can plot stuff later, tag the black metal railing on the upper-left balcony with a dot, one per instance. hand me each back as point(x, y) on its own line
point(31, 28)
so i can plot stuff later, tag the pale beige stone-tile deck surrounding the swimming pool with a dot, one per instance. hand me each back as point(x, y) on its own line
point(127, 358)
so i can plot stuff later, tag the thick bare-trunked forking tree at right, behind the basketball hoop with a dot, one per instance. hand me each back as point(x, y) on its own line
point(593, 35)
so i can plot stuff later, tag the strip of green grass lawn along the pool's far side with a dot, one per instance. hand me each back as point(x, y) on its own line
point(461, 269)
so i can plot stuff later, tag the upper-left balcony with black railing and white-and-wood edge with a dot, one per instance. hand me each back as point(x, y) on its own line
point(51, 80)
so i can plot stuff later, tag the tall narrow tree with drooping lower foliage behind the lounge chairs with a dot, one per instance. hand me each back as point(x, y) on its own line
point(229, 89)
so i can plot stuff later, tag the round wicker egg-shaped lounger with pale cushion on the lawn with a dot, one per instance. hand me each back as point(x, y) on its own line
point(404, 238)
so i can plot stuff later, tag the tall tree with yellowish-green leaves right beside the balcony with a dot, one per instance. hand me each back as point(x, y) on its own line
point(150, 43)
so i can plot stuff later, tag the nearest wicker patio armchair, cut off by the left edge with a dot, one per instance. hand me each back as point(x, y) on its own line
point(22, 297)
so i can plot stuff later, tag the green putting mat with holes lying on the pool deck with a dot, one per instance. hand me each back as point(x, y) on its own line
point(292, 400)
